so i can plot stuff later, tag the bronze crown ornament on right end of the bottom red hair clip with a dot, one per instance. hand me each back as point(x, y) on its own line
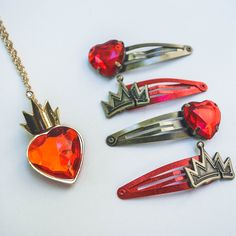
point(208, 169)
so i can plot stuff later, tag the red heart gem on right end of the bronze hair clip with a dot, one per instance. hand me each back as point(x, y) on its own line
point(202, 117)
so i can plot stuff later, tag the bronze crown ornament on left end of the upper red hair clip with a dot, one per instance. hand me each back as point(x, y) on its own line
point(125, 99)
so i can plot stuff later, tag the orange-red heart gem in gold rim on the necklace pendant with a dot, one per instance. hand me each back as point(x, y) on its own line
point(57, 154)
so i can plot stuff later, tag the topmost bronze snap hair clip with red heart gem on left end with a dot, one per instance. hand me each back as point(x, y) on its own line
point(113, 57)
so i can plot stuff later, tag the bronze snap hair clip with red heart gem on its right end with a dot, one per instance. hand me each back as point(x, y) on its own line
point(199, 119)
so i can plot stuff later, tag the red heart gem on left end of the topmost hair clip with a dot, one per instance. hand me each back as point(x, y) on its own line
point(105, 57)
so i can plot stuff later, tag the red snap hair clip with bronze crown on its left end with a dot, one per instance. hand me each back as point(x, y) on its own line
point(147, 92)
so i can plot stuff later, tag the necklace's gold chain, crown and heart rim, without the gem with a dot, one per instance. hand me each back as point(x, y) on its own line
point(43, 118)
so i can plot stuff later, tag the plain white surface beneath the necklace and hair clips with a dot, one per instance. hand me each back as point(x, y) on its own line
point(53, 39)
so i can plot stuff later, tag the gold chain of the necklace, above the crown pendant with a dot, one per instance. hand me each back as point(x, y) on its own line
point(17, 62)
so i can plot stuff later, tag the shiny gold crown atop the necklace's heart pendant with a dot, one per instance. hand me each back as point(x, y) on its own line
point(42, 119)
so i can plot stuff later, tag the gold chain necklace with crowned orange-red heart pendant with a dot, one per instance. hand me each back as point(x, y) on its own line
point(55, 151)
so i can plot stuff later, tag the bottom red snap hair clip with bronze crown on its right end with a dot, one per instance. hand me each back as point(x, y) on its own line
point(181, 175)
